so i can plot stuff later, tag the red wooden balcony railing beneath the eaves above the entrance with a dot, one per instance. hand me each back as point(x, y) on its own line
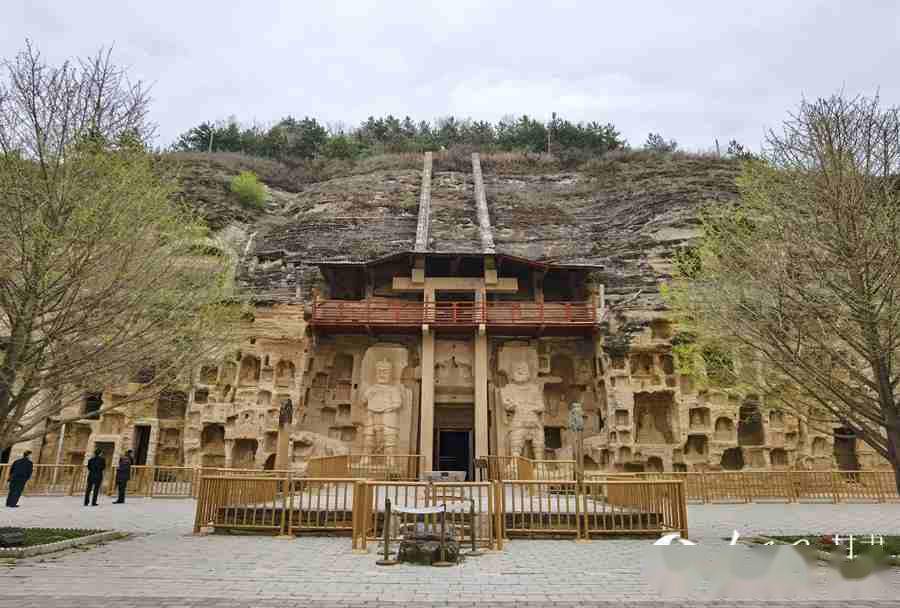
point(366, 313)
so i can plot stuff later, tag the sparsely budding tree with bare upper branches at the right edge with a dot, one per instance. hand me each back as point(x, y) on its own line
point(801, 280)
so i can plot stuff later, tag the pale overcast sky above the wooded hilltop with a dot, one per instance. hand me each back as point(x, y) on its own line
point(693, 71)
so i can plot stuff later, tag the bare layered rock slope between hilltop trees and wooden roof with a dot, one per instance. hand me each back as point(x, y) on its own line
point(627, 212)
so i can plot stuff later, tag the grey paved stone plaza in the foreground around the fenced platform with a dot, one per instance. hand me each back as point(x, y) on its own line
point(163, 564)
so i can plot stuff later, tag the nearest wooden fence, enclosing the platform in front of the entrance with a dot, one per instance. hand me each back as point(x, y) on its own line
point(489, 512)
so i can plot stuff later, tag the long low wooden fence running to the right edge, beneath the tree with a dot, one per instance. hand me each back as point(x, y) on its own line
point(776, 486)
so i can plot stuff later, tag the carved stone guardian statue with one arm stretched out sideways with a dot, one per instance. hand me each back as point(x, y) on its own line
point(523, 400)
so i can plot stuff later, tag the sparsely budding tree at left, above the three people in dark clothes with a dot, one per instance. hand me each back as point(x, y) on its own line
point(103, 278)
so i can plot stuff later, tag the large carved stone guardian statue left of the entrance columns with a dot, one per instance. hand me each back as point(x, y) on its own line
point(383, 401)
